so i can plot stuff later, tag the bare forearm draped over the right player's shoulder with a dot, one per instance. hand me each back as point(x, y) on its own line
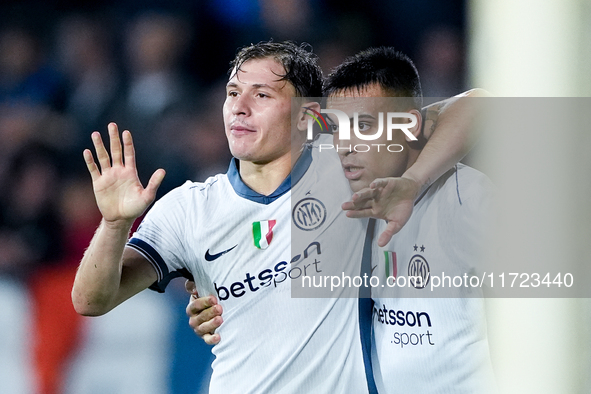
point(451, 135)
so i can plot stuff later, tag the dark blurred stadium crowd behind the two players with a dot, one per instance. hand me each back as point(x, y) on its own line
point(159, 70)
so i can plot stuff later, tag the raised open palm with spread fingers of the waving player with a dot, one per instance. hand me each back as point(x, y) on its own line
point(118, 191)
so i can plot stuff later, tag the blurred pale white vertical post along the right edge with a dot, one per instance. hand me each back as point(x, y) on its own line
point(527, 48)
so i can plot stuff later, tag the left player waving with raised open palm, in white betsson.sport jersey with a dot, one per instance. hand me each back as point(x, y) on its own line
point(230, 235)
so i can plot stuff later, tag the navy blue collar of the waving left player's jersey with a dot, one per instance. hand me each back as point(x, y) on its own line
point(298, 170)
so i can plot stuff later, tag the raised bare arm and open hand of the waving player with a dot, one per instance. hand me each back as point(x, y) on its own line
point(109, 273)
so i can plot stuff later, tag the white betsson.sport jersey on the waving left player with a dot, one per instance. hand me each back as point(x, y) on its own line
point(248, 250)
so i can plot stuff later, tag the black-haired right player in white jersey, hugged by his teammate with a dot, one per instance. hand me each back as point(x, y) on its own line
point(420, 345)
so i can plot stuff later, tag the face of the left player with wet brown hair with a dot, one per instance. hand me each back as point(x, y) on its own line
point(257, 112)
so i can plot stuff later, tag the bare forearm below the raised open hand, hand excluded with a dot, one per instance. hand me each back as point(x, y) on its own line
point(99, 275)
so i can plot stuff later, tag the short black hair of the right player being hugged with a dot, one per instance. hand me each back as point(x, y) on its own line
point(391, 69)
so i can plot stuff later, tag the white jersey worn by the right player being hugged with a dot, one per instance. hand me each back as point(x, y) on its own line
point(434, 345)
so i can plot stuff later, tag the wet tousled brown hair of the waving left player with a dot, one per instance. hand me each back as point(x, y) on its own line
point(300, 64)
